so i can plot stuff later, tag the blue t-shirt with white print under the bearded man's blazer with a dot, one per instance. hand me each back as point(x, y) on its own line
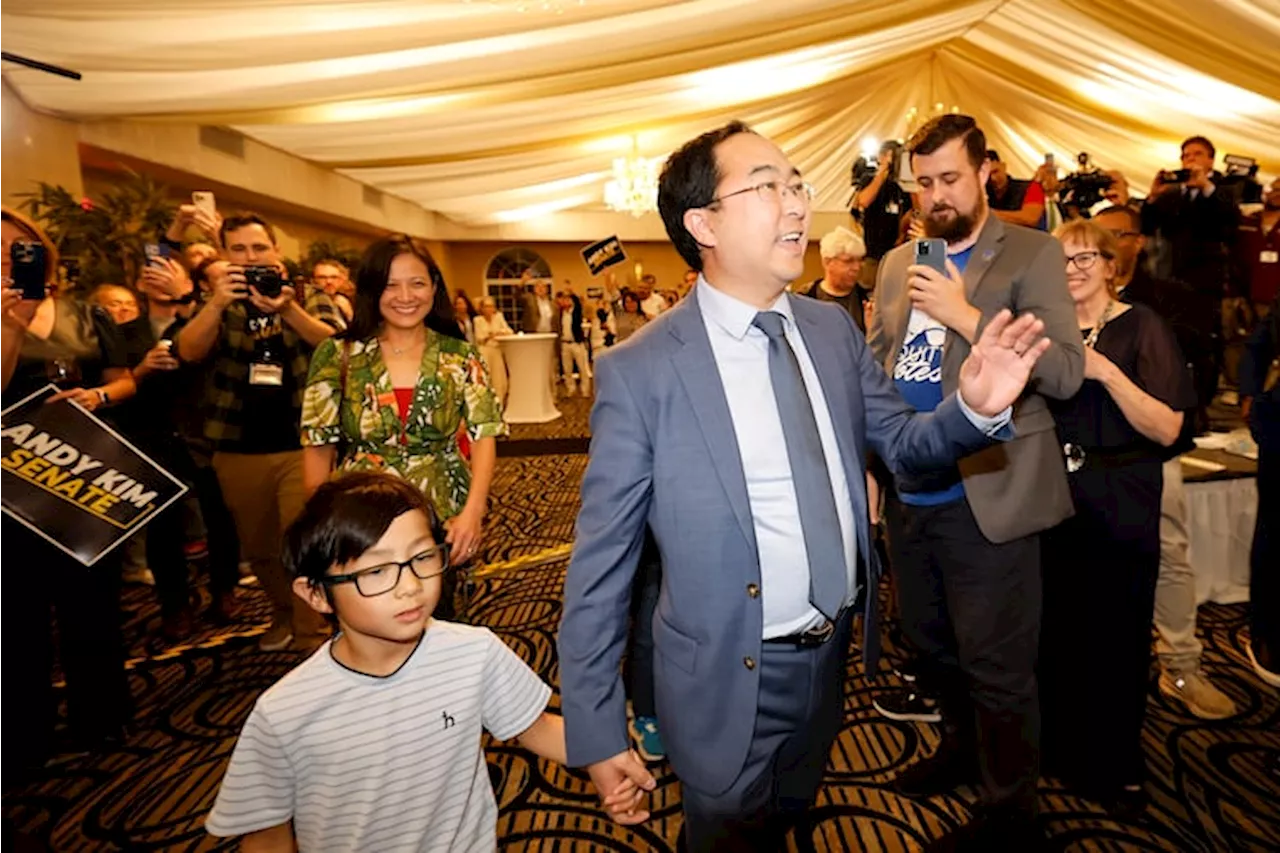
point(918, 377)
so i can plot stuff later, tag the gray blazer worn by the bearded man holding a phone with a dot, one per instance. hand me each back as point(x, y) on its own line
point(1020, 487)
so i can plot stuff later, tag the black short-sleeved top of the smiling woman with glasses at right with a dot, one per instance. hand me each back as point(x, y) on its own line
point(1144, 346)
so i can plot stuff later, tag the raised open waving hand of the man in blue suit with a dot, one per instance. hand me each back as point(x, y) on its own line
point(1002, 362)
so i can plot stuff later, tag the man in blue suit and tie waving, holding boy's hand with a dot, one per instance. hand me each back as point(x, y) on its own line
point(735, 426)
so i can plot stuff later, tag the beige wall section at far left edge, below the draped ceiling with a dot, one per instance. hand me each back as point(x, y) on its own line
point(35, 148)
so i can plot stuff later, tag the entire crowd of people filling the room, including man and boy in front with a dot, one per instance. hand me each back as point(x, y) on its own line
point(1004, 428)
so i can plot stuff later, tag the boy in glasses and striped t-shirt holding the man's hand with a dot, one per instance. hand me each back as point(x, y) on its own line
point(373, 743)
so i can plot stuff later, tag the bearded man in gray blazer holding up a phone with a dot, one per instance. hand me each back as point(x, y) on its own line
point(964, 544)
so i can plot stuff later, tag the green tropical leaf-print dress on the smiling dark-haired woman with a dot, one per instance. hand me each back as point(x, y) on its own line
point(452, 389)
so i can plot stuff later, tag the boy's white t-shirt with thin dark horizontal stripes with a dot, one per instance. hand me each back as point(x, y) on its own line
point(360, 763)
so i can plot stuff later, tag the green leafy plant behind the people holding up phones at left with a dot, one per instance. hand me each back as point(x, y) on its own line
point(103, 240)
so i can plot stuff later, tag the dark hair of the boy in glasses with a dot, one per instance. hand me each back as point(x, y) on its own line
point(346, 518)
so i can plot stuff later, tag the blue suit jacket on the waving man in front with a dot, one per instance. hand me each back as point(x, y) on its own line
point(664, 454)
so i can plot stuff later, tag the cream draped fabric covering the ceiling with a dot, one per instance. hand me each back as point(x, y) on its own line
point(490, 116)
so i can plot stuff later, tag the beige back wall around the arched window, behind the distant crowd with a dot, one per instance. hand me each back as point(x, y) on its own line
point(472, 259)
